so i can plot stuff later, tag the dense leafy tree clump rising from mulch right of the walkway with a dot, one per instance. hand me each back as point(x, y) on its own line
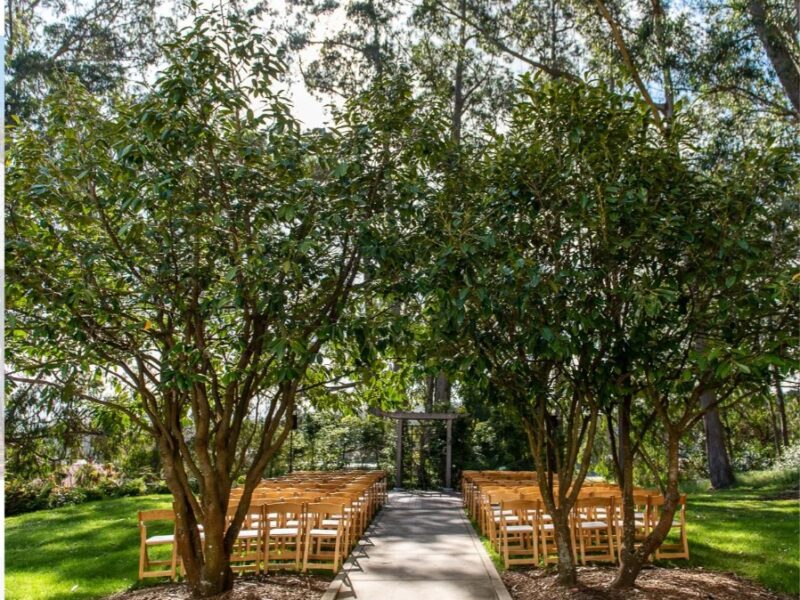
point(585, 266)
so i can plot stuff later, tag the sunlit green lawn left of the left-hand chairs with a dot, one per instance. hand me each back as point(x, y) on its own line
point(77, 552)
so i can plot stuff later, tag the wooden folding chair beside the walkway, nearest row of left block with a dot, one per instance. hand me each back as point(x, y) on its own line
point(324, 536)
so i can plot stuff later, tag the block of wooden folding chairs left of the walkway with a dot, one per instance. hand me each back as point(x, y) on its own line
point(302, 521)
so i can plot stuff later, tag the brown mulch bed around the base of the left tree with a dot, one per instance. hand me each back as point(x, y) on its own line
point(269, 587)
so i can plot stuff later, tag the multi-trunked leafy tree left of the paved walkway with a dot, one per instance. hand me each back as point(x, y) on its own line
point(195, 254)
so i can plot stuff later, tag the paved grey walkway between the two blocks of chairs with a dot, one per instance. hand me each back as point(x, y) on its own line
point(421, 547)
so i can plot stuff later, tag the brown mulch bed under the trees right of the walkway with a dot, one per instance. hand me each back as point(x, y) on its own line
point(654, 583)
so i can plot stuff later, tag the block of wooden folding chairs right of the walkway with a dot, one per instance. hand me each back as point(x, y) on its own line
point(511, 513)
